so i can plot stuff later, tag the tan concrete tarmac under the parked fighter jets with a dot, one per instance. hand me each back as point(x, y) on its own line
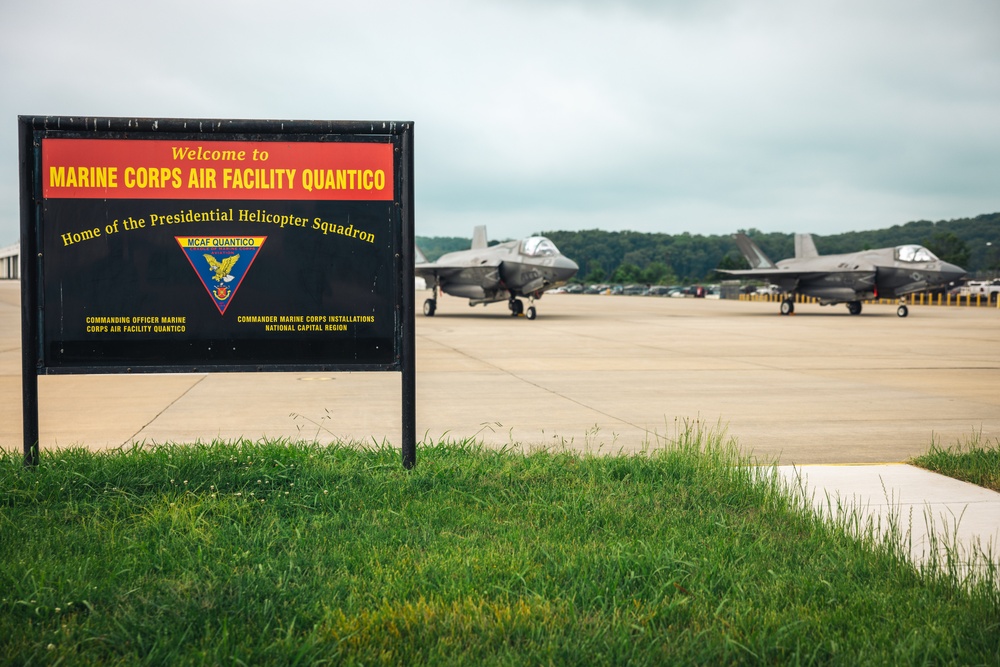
point(592, 373)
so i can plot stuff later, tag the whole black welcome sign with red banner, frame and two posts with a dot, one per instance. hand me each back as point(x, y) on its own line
point(357, 318)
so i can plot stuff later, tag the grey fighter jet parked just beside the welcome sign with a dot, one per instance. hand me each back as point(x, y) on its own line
point(488, 274)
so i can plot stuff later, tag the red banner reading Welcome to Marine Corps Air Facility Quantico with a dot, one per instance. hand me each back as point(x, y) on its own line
point(151, 169)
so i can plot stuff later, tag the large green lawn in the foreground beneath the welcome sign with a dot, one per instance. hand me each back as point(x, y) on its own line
point(281, 553)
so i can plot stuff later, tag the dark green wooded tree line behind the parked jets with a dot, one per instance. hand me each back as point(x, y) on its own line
point(666, 259)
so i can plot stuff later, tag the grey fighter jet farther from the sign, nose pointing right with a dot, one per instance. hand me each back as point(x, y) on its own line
point(850, 278)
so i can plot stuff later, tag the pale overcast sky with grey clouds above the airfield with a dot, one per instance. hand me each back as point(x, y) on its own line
point(699, 116)
